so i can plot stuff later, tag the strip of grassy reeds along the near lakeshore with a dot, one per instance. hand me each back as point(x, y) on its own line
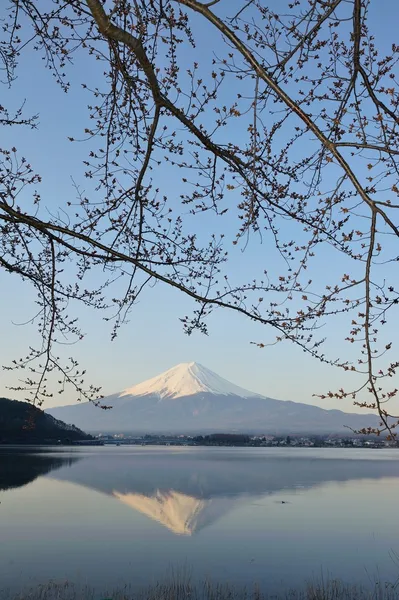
point(185, 590)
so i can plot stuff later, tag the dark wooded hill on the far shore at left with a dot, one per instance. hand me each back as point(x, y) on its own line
point(23, 423)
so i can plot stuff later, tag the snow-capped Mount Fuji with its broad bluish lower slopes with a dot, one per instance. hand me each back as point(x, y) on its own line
point(189, 398)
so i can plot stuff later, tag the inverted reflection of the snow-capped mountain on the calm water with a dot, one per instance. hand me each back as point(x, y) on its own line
point(187, 491)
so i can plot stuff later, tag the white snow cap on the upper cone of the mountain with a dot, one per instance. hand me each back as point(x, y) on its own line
point(187, 379)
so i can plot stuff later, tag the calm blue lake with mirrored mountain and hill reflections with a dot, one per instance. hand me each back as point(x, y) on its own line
point(108, 516)
